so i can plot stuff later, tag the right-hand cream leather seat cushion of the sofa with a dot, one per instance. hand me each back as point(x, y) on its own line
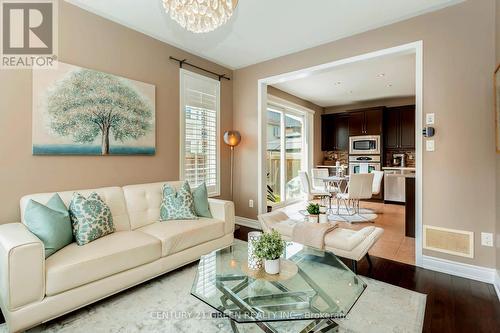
point(179, 235)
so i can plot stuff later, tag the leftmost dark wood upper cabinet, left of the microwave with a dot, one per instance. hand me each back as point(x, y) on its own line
point(334, 132)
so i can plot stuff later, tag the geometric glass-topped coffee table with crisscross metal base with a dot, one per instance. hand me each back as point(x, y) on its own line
point(314, 287)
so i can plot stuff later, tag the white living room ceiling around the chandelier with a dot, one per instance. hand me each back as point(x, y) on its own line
point(264, 29)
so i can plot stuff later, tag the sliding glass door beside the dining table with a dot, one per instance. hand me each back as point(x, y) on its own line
point(286, 154)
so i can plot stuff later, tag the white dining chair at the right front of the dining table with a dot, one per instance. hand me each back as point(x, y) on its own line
point(360, 187)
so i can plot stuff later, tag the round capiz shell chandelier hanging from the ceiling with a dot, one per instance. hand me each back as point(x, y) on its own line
point(200, 16)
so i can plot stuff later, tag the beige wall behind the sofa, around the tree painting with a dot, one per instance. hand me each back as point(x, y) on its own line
point(90, 41)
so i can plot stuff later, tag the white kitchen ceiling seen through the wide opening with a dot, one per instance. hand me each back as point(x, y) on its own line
point(378, 78)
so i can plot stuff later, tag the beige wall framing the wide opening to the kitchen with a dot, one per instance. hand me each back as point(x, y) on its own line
point(458, 60)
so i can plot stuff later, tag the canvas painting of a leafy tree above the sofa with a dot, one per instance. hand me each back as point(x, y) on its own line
point(79, 111)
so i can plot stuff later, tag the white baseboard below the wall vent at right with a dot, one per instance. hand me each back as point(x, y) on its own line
point(478, 273)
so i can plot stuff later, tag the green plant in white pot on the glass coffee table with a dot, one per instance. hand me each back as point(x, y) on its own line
point(270, 247)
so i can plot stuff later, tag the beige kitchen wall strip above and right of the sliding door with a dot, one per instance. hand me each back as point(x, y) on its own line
point(318, 111)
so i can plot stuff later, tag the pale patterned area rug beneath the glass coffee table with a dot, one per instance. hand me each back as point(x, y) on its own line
point(165, 305)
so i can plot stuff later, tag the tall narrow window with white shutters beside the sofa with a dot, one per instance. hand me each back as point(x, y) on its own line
point(200, 111)
